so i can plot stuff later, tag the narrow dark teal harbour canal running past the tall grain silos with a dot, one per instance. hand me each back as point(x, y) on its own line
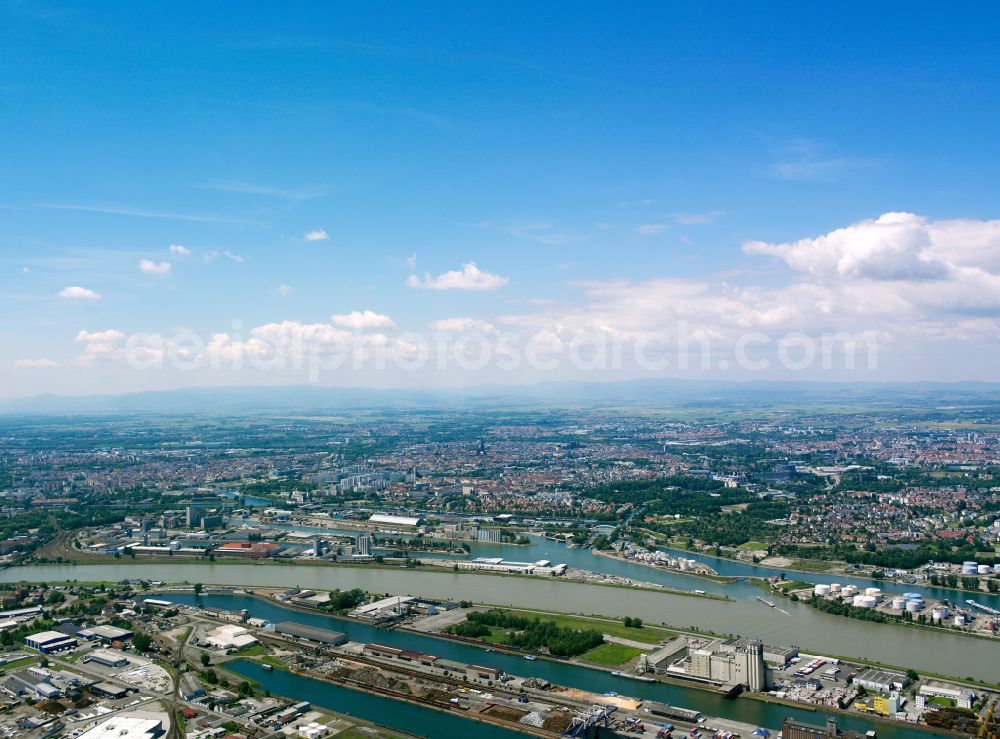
point(745, 710)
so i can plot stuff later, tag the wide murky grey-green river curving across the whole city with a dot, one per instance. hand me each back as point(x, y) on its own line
point(800, 625)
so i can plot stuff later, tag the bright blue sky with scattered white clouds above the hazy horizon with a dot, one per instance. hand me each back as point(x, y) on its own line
point(600, 166)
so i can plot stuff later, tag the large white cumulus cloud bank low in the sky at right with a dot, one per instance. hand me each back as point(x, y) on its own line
point(901, 276)
